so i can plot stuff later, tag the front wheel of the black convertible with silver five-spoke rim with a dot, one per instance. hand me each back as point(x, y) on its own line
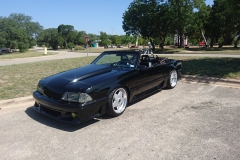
point(117, 102)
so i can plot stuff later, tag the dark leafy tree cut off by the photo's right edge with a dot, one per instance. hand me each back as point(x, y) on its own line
point(224, 22)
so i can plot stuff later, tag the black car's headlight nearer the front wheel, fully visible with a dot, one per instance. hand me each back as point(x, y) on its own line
point(76, 97)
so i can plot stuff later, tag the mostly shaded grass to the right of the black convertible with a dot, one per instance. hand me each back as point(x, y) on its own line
point(210, 67)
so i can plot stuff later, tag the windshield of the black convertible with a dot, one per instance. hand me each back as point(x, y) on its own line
point(122, 59)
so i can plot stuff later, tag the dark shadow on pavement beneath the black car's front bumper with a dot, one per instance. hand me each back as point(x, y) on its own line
point(56, 124)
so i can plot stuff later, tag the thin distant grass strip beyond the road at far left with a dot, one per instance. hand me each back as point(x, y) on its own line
point(27, 54)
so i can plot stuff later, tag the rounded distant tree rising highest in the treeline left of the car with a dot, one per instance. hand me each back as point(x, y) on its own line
point(65, 31)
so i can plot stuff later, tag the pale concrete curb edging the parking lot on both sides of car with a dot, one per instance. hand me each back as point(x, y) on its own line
point(185, 78)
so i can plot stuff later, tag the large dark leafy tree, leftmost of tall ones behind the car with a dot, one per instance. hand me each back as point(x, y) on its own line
point(146, 18)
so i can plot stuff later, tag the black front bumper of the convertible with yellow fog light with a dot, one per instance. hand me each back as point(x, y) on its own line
point(70, 112)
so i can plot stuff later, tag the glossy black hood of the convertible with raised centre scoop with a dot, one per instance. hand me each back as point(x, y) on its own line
point(78, 79)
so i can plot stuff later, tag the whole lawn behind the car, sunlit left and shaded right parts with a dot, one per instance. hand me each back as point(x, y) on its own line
point(21, 80)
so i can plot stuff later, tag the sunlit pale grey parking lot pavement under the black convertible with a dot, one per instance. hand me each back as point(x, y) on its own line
point(191, 121)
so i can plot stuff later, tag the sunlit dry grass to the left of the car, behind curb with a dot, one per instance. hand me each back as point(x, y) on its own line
point(21, 80)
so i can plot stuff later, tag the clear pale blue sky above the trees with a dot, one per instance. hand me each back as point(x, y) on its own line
point(92, 16)
